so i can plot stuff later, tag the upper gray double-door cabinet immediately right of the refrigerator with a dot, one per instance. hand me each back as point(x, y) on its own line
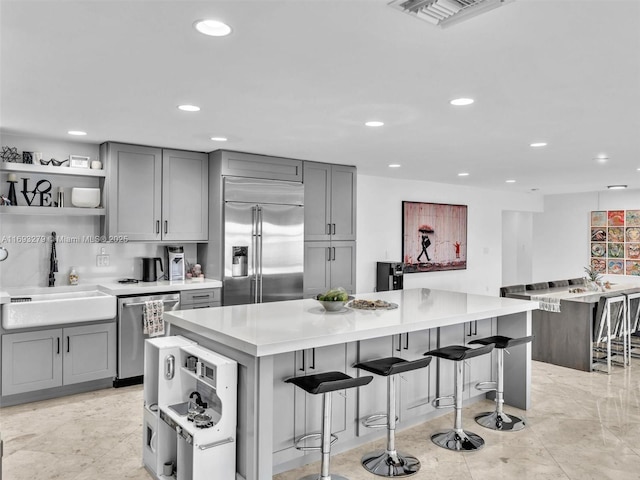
point(329, 201)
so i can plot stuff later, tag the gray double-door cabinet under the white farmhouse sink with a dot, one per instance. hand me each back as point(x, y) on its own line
point(42, 359)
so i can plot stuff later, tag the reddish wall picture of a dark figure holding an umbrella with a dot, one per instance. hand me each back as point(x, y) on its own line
point(434, 237)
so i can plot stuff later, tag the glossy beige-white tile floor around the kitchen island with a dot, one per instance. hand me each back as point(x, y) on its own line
point(582, 426)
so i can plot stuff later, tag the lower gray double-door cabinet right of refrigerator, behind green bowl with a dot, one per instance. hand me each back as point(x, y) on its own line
point(329, 265)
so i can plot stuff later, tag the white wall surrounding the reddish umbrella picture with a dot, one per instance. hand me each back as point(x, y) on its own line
point(380, 231)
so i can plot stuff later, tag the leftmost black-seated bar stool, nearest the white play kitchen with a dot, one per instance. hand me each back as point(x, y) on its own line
point(325, 383)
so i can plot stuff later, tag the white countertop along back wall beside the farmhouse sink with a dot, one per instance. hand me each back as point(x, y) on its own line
point(112, 287)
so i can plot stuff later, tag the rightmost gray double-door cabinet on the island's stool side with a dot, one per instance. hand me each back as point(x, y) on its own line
point(477, 369)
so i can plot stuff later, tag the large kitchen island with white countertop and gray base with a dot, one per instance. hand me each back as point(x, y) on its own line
point(274, 341)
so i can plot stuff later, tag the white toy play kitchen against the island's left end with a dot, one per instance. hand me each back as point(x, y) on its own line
point(190, 403)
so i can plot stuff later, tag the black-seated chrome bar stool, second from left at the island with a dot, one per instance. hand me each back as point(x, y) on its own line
point(390, 462)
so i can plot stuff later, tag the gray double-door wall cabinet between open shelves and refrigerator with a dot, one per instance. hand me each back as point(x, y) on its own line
point(154, 194)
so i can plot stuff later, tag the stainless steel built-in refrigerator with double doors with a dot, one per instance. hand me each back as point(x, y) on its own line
point(263, 240)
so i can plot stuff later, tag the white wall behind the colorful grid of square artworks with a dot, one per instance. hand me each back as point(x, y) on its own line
point(561, 233)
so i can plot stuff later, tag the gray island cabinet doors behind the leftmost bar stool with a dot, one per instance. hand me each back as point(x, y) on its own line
point(297, 413)
